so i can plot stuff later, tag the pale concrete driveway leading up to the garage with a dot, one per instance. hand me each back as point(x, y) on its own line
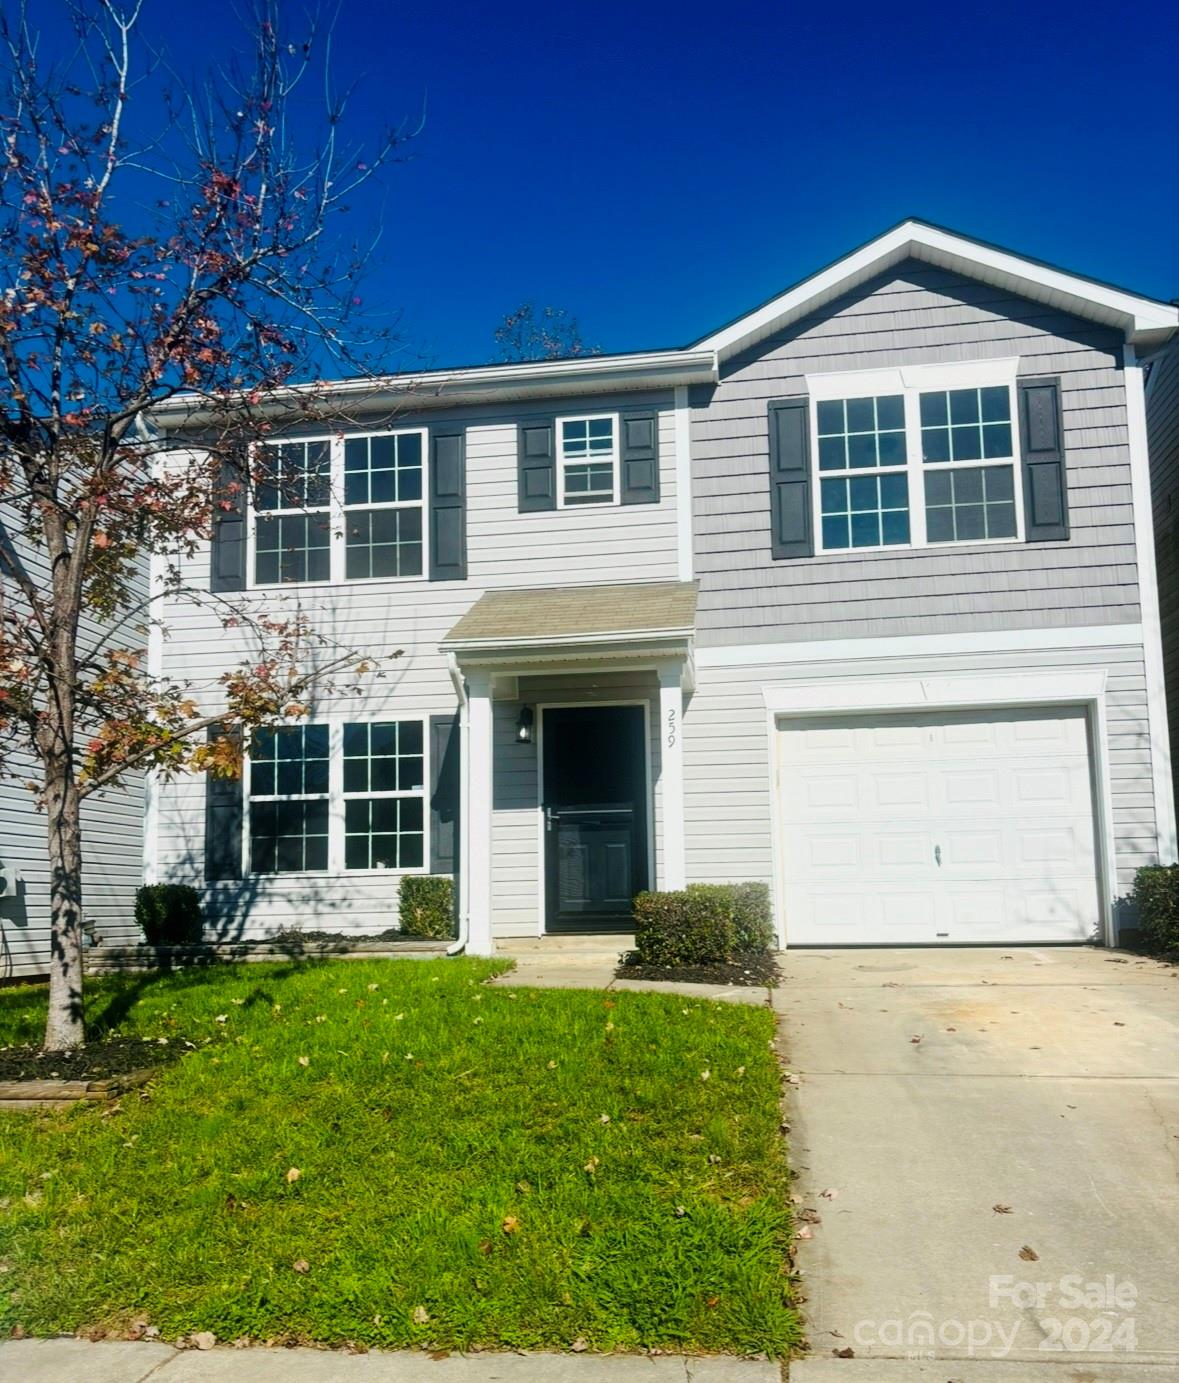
point(997, 1133)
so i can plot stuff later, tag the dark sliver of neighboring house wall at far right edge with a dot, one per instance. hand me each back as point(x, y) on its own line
point(1163, 429)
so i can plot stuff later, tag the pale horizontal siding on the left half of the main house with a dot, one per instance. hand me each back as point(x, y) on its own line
point(506, 548)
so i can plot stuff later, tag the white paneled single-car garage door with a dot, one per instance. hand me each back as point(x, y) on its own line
point(939, 828)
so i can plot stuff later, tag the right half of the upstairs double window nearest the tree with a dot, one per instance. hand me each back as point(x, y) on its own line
point(384, 507)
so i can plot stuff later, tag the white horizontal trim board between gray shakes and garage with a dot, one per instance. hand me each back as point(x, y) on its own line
point(921, 645)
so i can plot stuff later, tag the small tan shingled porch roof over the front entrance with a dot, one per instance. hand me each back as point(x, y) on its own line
point(554, 624)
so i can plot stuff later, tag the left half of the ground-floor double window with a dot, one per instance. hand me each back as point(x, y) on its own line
point(289, 800)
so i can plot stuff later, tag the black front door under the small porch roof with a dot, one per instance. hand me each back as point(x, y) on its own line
point(594, 799)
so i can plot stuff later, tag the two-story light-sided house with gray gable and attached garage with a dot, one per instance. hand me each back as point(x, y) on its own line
point(854, 595)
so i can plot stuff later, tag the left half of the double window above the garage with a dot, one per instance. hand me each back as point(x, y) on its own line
point(868, 505)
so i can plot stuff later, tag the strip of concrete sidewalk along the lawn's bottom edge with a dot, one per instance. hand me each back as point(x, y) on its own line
point(68, 1360)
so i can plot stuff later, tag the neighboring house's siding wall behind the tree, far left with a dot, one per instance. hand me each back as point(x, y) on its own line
point(111, 844)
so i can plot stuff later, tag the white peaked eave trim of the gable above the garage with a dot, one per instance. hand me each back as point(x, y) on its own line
point(1145, 322)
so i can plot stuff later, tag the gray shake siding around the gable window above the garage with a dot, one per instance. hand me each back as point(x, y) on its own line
point(915, 315)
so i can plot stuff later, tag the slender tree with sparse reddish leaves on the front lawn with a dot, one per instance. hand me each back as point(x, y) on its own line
point(200, 258)
